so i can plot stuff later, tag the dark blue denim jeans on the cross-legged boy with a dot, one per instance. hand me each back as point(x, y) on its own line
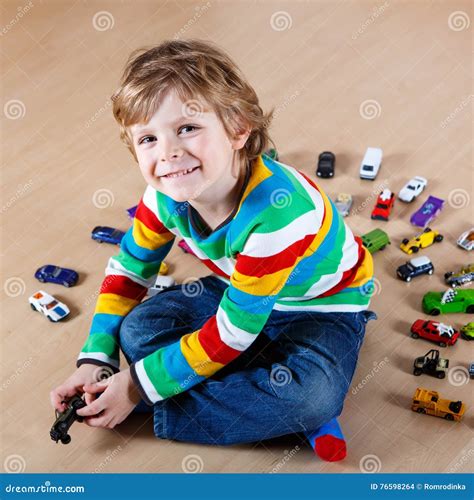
point(293, 378)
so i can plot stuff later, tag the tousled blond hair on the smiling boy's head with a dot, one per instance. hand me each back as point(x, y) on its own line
point(195, 69)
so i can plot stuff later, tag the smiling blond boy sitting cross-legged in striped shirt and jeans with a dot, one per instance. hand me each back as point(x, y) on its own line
point(267, 344)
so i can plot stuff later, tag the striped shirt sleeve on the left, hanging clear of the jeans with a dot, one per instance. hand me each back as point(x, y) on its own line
point(128, 276)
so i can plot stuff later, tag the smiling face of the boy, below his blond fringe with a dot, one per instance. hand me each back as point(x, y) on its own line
point(180, 137)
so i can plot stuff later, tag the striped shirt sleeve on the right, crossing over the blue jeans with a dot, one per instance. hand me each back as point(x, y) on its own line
point(263, 266)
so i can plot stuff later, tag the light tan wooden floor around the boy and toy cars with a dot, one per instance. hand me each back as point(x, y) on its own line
point(342, 76)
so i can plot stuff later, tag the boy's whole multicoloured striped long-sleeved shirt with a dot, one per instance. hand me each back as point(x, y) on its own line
point(285, 247)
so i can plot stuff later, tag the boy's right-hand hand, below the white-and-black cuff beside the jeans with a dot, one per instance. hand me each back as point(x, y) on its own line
point(119, 397)
